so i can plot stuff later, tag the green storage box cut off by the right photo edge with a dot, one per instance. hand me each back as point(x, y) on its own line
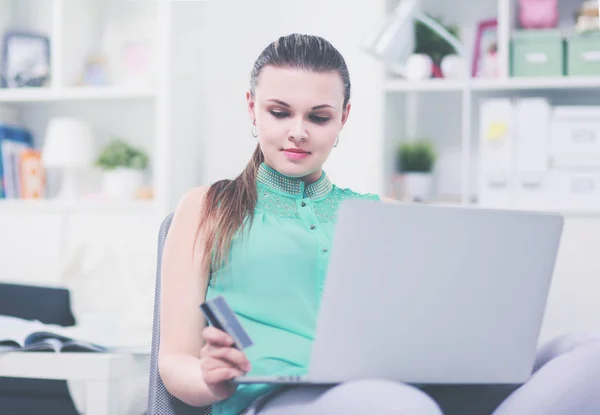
point(583, 55)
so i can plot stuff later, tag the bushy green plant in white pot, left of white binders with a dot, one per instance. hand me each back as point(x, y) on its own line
point(415, 162)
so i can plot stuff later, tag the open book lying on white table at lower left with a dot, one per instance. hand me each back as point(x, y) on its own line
point(30, 335)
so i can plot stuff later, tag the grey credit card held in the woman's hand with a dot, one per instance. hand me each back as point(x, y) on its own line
point(219, 315)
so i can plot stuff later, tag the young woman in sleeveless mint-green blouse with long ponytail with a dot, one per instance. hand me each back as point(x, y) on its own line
point(262, 240)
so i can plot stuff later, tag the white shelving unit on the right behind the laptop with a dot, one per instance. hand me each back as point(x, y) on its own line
point(446, 110)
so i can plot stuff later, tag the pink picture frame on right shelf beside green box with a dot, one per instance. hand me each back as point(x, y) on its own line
point(485, 62)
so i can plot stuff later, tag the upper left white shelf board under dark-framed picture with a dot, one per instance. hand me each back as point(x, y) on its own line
point(84, 93)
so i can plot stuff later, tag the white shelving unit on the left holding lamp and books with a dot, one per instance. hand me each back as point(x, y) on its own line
point(79, 29)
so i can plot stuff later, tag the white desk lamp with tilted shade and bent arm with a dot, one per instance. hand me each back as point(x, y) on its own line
point(393, 42)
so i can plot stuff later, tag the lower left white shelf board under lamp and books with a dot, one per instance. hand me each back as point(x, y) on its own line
point(28, 206)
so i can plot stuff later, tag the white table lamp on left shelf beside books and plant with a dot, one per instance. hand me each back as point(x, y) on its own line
point(69, 147)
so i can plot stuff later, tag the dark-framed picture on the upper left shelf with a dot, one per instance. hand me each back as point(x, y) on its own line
point(25, 60)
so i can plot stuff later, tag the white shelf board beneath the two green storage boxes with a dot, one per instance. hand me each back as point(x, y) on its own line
point(441, 85)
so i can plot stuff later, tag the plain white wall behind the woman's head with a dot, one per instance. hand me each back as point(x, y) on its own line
point(232, 39)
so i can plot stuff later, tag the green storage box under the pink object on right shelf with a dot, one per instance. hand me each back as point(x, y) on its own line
point(536, 53)
